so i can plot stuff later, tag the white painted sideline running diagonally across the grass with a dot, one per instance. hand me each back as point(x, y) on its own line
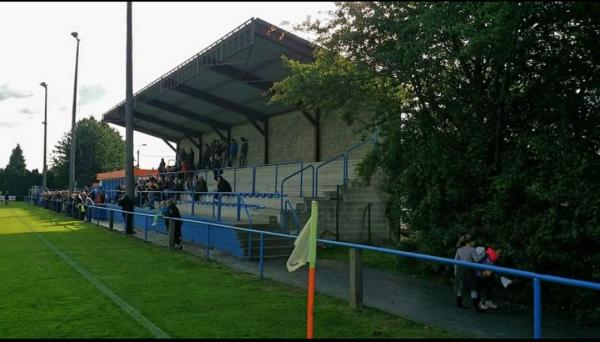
point(116, 299)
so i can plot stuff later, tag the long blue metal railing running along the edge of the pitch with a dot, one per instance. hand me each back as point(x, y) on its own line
point(536, 277)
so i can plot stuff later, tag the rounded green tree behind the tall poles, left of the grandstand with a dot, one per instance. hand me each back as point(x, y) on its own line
point(99, 148)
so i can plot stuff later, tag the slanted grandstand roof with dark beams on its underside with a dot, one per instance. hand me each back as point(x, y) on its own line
point(219, 87)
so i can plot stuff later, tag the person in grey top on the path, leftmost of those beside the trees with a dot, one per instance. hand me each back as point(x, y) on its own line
point(464, 280)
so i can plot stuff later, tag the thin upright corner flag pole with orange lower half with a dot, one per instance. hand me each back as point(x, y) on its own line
point(312, 262)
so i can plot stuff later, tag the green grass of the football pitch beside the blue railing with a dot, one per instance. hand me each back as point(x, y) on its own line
point(43, 296)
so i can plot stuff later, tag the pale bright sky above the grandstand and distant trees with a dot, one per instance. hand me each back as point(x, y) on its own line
point(37, 46)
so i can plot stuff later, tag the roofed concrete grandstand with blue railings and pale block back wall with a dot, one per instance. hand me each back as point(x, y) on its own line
point(293, 155)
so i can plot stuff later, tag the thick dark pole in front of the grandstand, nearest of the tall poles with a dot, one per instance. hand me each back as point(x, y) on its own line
point(128, 110)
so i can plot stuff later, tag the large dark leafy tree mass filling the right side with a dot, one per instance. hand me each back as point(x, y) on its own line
point(490, 114)
